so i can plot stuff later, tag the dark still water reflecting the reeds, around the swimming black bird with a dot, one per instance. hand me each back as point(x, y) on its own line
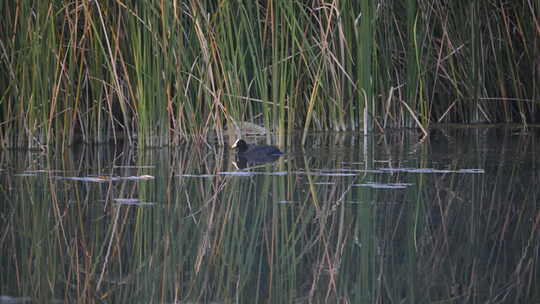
point(389, 218)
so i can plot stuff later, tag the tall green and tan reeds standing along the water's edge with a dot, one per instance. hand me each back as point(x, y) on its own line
point(158, 72)
